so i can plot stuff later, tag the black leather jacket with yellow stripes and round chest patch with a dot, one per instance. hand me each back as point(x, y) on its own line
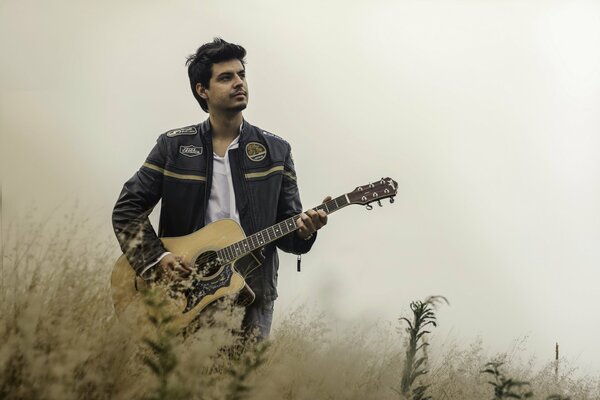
point(178, 170)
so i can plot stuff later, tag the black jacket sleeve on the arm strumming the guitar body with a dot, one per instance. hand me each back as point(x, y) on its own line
point(135, 234)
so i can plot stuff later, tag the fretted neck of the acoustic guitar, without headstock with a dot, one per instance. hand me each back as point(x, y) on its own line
point(275, 232)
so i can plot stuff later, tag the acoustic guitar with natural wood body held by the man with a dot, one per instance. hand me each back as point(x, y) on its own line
point(217, 253)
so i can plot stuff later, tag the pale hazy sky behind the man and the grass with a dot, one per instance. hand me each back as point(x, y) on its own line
point(485, 112)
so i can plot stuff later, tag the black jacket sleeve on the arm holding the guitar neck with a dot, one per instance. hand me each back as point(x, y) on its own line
point(290, 205)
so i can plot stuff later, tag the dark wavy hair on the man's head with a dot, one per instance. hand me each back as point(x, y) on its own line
point(200, 64)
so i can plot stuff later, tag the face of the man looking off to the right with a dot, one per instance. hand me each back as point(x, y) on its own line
point(228, 90)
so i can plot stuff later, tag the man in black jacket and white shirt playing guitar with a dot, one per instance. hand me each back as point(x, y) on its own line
point(223, 167)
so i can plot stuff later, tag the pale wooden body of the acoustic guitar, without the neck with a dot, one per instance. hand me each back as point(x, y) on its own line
point(194, 296)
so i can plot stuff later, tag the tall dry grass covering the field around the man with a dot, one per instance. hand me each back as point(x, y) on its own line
point(59, 339)
